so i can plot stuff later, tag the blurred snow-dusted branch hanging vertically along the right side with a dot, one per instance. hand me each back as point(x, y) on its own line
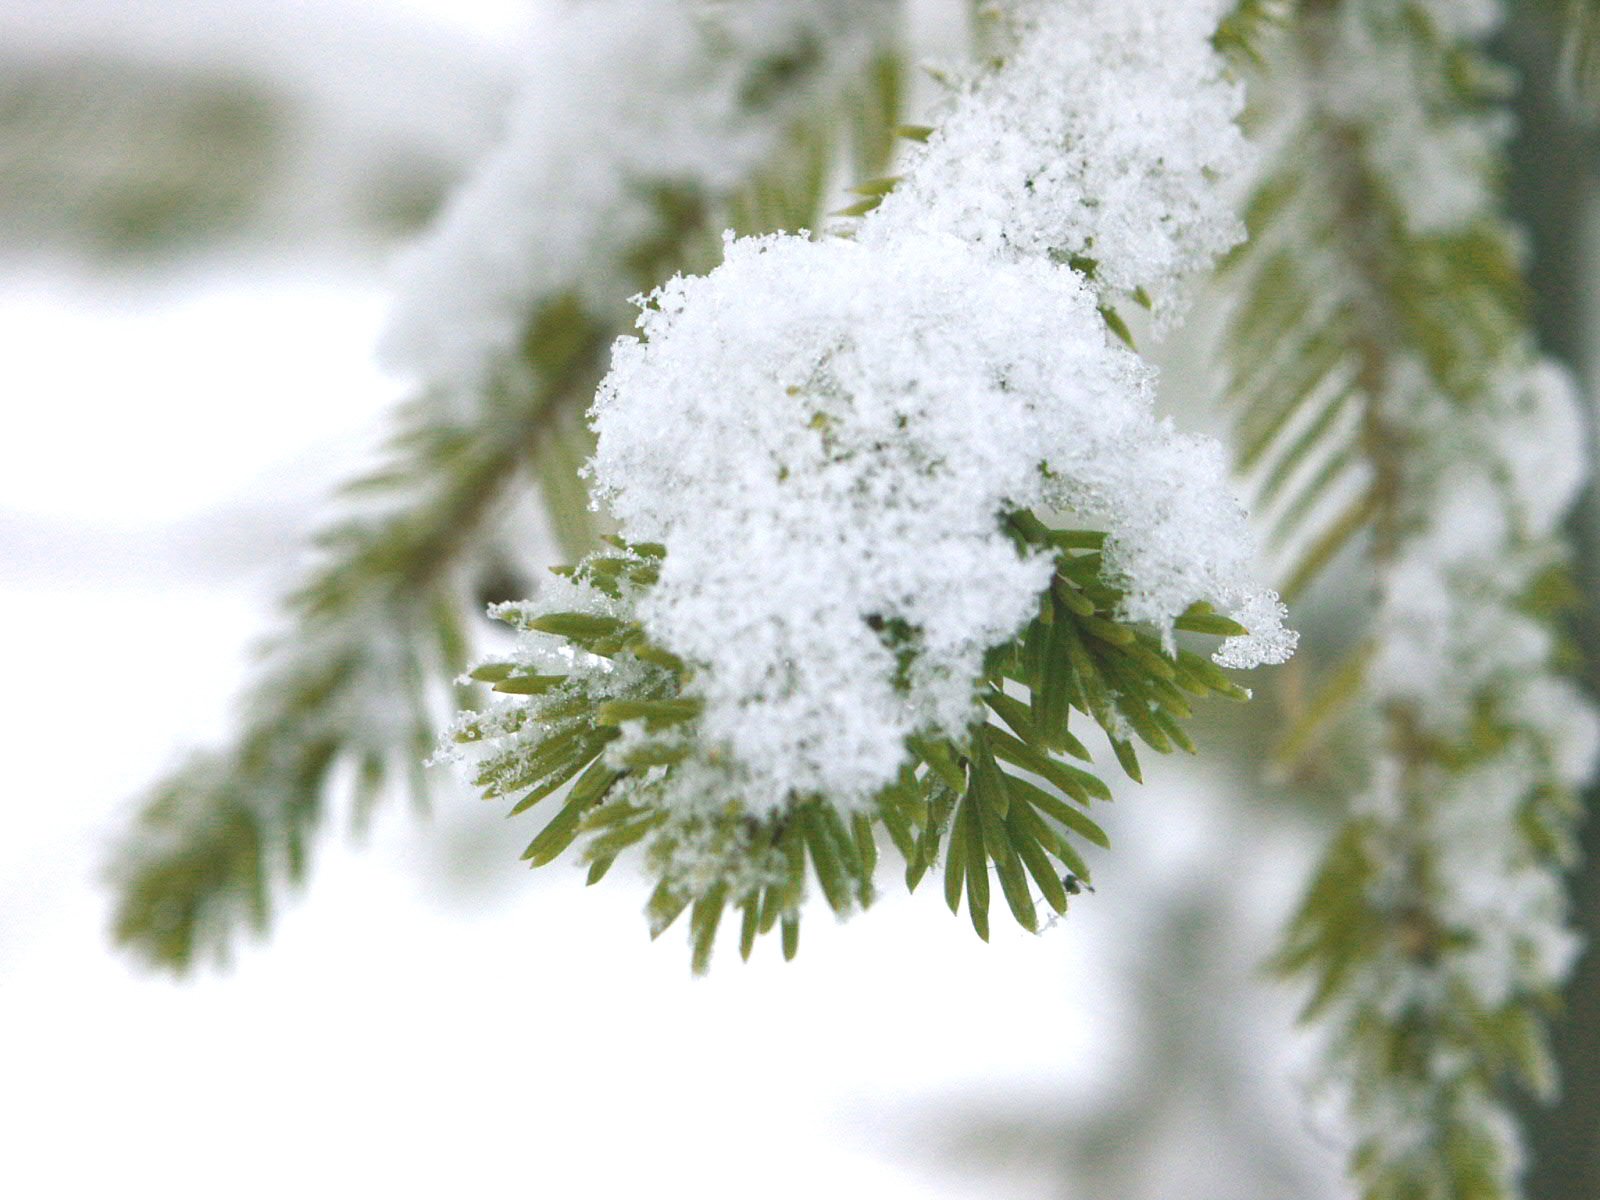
point(1391, 388)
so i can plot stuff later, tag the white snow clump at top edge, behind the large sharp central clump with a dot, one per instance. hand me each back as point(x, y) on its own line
point(1106, 138)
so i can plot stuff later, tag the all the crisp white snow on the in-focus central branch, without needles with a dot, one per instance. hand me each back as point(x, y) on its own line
point(826, 436)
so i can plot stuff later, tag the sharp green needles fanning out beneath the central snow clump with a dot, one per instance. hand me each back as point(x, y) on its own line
point(620, 724)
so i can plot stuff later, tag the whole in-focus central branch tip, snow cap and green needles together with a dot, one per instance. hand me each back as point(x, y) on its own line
point(826, 458)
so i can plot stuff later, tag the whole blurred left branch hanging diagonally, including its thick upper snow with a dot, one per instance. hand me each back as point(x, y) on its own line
point(598, 191)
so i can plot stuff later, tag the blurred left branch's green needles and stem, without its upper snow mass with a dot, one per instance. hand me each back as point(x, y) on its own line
point(380, 625)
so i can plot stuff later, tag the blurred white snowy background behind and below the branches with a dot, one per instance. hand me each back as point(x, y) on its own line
point(199, 207)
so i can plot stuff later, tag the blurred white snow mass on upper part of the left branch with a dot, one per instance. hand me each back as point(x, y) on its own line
point(623, 100)
